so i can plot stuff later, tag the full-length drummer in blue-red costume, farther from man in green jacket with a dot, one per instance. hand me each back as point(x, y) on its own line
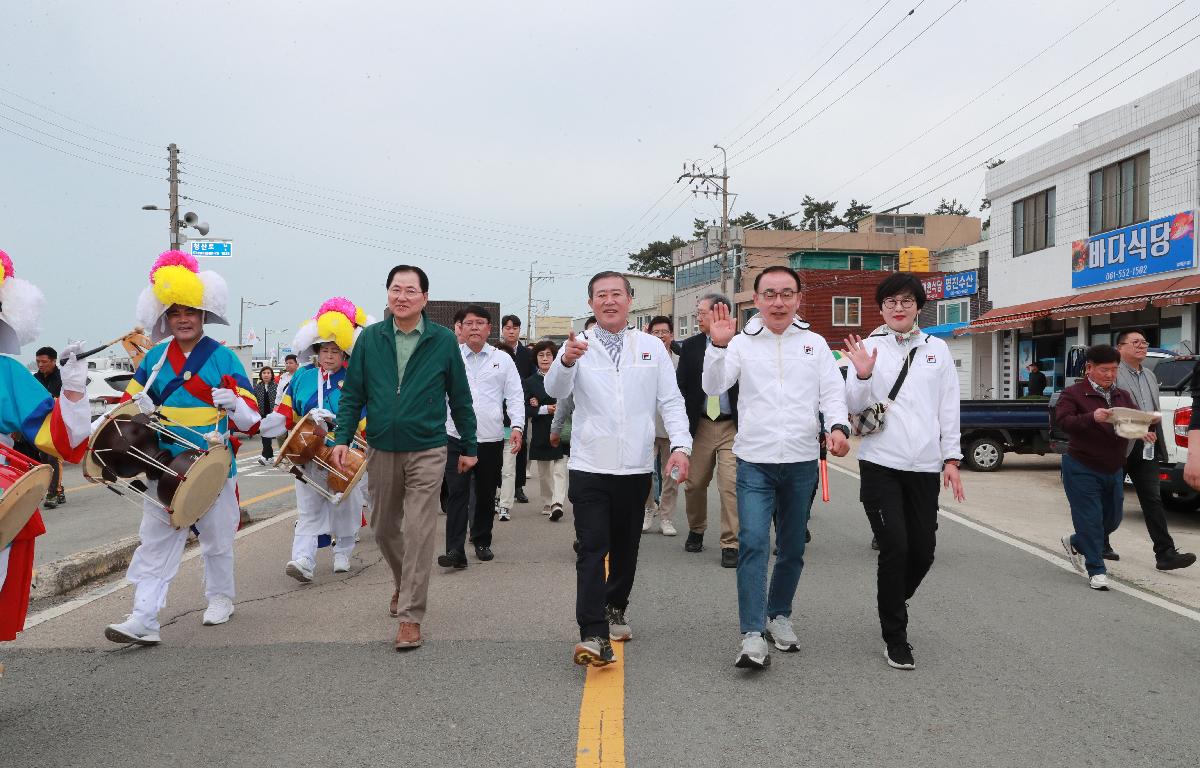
point(199, 387)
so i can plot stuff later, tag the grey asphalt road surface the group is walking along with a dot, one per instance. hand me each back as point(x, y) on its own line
point(1019, 664)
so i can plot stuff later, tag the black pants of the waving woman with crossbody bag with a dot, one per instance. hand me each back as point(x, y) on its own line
point(902, 508)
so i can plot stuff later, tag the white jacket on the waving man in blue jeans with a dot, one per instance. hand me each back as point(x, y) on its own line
point(787, 382)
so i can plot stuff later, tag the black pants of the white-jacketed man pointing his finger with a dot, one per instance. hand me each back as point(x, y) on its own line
point(608, 523)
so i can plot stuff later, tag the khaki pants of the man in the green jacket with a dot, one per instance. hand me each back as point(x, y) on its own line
point(405, 503)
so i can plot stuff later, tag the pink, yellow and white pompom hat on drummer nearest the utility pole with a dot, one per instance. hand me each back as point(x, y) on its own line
point(177, 279)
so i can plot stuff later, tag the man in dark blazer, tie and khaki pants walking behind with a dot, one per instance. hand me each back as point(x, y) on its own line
point(713, 422)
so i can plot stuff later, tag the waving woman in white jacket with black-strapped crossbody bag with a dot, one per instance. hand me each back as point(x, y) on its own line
point(904, 465)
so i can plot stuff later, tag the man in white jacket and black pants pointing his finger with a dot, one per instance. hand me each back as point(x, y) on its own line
point(620, 379)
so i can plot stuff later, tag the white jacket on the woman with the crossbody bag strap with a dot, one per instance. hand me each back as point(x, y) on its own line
point(922, 427)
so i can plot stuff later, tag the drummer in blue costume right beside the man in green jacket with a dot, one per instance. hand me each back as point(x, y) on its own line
point(316, 391)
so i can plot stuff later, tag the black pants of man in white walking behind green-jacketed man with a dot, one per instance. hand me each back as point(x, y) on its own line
point(487, 478)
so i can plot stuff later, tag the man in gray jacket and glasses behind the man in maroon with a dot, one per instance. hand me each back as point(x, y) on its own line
point(1142, 464)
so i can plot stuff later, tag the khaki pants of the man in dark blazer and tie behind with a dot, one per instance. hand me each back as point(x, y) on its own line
point(712, 448)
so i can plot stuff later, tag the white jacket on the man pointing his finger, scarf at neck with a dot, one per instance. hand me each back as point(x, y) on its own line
point(613, 427)
